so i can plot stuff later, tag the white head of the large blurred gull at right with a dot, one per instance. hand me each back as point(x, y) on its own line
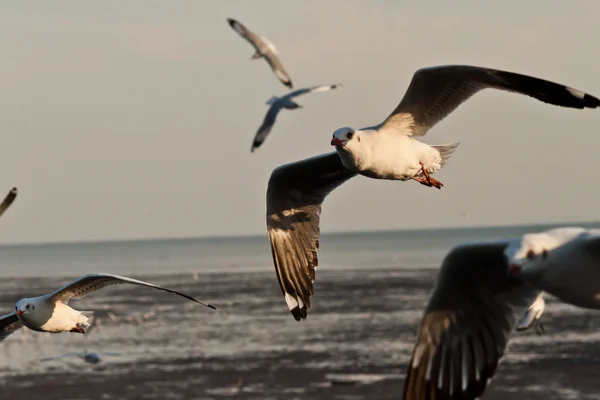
point(529, 254)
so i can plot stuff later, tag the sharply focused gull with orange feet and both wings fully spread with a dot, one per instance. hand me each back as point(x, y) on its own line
point(387, 151)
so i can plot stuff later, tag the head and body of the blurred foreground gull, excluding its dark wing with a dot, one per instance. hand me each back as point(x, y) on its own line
point(564, 262)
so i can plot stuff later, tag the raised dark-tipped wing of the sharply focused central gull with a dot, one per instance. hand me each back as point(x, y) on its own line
point(435, 92)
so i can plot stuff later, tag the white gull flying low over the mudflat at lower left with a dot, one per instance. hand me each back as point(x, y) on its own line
point(50, 312)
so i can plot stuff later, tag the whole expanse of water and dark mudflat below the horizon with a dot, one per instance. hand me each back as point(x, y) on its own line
point(370, 291)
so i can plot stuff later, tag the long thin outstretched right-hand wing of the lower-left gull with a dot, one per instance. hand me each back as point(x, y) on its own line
point(93, 282)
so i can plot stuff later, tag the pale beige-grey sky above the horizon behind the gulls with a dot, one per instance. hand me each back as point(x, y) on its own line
point(134, 119)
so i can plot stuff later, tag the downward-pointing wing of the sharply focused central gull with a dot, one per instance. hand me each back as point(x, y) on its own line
point(294, 197)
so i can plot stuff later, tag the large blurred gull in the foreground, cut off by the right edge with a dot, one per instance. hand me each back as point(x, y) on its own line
point(471, 312)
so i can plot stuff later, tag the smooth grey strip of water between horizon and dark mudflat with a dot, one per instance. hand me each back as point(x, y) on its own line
point(392, 249)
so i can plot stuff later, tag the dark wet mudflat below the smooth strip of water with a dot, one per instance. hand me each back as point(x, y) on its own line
point(354, 345)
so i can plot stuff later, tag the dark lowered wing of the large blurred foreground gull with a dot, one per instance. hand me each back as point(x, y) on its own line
point(466, 325)
